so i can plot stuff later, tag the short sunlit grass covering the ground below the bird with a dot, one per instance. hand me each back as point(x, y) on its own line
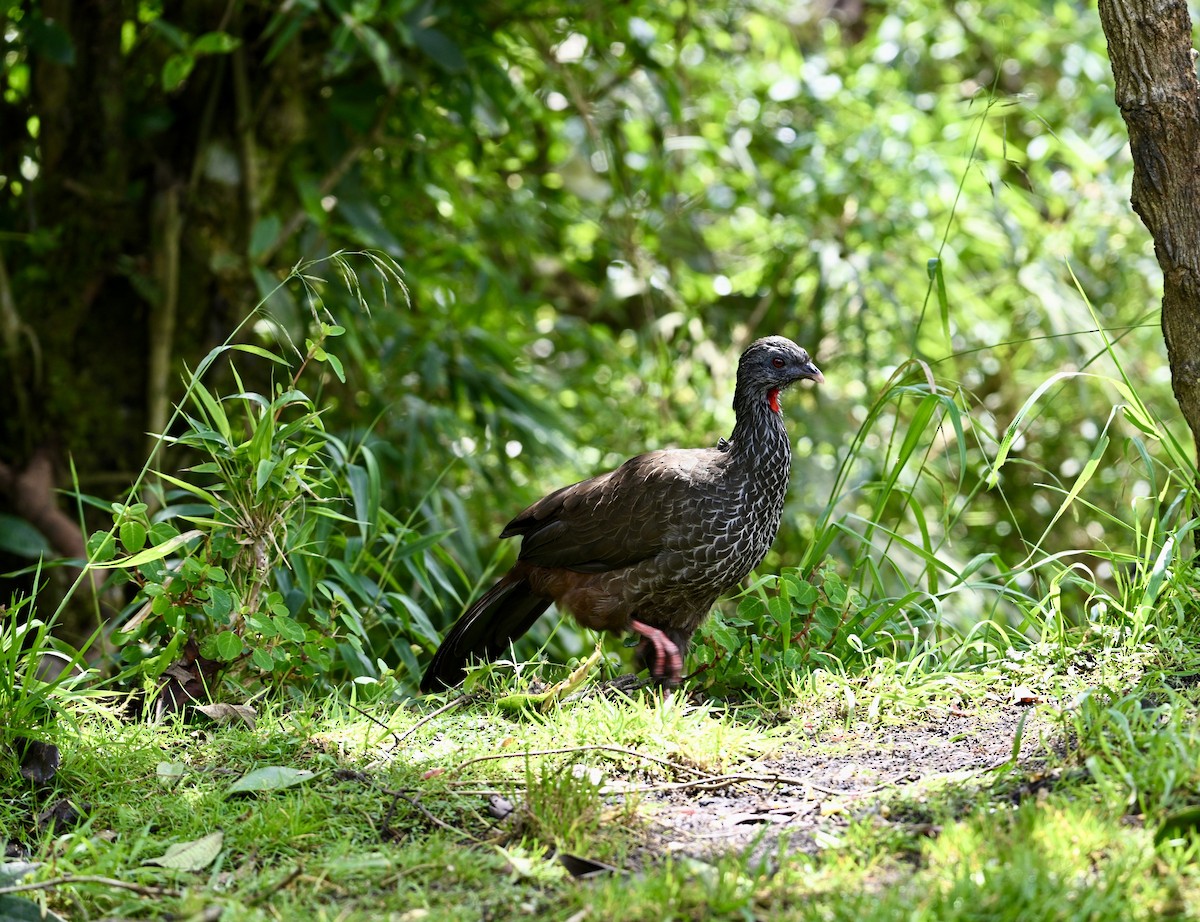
point(395, 818)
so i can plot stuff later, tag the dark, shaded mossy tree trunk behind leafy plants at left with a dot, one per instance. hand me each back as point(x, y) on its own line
point(127, 258)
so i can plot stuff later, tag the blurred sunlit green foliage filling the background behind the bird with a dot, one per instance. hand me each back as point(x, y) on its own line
point(597, 206)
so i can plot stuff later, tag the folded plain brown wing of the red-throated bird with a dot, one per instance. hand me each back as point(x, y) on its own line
point(617, 519)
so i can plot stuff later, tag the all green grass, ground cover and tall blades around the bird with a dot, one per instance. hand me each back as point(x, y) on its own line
point(1071, 670)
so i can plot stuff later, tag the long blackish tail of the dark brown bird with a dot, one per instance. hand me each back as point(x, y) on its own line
point(502, 615)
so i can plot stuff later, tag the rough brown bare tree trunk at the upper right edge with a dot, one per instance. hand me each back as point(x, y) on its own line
point(1154, 70)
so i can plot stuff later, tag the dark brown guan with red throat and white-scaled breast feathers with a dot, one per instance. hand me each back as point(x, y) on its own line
point(650, 547)
